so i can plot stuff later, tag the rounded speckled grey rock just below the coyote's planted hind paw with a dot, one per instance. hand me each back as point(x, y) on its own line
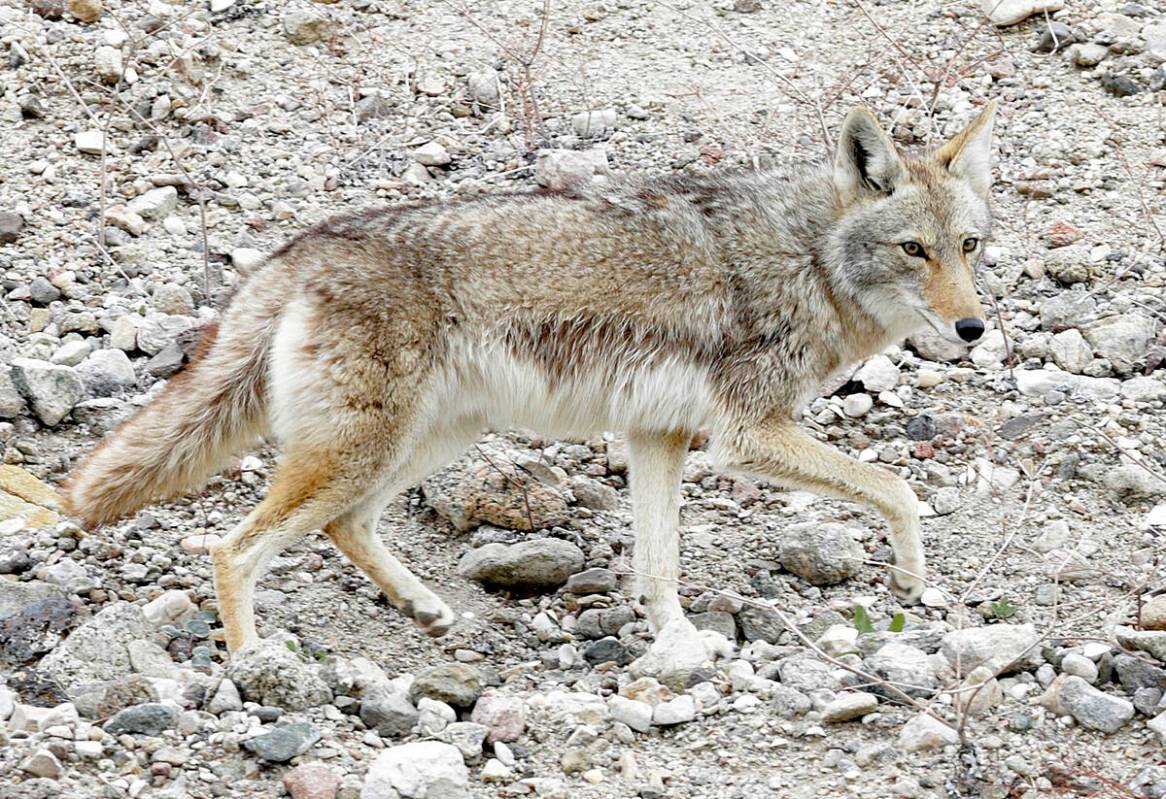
point(269, 672)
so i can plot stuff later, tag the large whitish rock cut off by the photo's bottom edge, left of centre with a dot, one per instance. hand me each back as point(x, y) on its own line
point(422, 770)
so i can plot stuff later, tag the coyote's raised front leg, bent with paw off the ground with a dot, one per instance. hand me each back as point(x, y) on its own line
point(781, 452)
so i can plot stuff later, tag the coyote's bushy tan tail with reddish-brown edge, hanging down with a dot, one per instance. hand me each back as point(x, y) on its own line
point(212, 410)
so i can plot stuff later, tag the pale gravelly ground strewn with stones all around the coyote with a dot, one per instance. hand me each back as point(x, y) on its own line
point(226, 128)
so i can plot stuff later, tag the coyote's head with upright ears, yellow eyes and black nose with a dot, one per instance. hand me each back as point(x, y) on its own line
point(912, 230)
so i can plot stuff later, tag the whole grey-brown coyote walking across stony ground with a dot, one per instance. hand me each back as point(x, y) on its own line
point(381, 345)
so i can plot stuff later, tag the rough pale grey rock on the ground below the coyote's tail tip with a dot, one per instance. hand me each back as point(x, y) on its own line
point(99, 651)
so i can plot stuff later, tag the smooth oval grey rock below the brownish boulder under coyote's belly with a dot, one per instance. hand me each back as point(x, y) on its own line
point(542, 564)
